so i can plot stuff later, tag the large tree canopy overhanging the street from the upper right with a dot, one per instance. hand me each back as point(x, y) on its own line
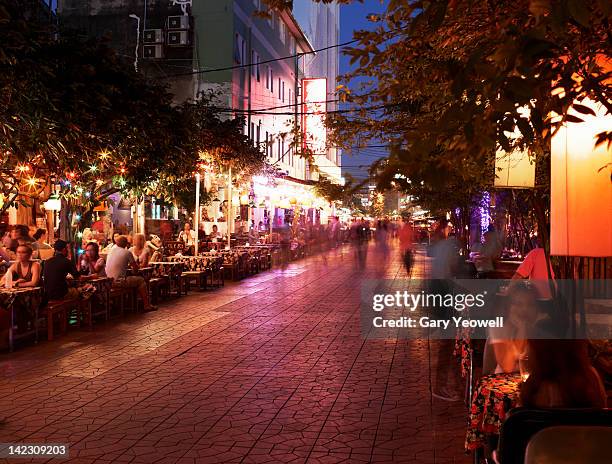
point(452, 78)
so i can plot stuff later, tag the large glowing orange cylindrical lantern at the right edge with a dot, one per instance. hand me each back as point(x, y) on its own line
point(581, 187)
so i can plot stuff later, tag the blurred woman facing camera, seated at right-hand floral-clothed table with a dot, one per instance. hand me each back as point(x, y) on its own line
point(509, 342)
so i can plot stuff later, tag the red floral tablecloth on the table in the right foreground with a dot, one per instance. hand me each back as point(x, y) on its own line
point(493, 397)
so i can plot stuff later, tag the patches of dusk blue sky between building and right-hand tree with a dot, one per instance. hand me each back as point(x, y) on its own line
point(353, 17)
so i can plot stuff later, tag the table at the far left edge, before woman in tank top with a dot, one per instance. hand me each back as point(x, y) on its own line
point(26, 301)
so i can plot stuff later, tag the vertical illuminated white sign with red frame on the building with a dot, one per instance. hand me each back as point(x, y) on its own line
point(314, 109)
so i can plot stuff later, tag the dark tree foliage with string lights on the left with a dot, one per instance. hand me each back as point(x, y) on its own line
point(74, 113)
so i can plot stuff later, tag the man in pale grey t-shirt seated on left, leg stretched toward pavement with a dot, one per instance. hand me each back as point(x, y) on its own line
point(117, 264)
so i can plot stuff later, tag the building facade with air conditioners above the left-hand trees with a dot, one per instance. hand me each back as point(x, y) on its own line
point(253, 65)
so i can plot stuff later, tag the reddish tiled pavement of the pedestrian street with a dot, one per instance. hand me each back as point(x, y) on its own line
point(272, 369)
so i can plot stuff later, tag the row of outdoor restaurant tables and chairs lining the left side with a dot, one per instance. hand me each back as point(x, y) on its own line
point(31, 318)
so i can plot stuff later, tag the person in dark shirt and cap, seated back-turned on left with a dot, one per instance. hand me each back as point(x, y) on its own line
point(56, 270)
